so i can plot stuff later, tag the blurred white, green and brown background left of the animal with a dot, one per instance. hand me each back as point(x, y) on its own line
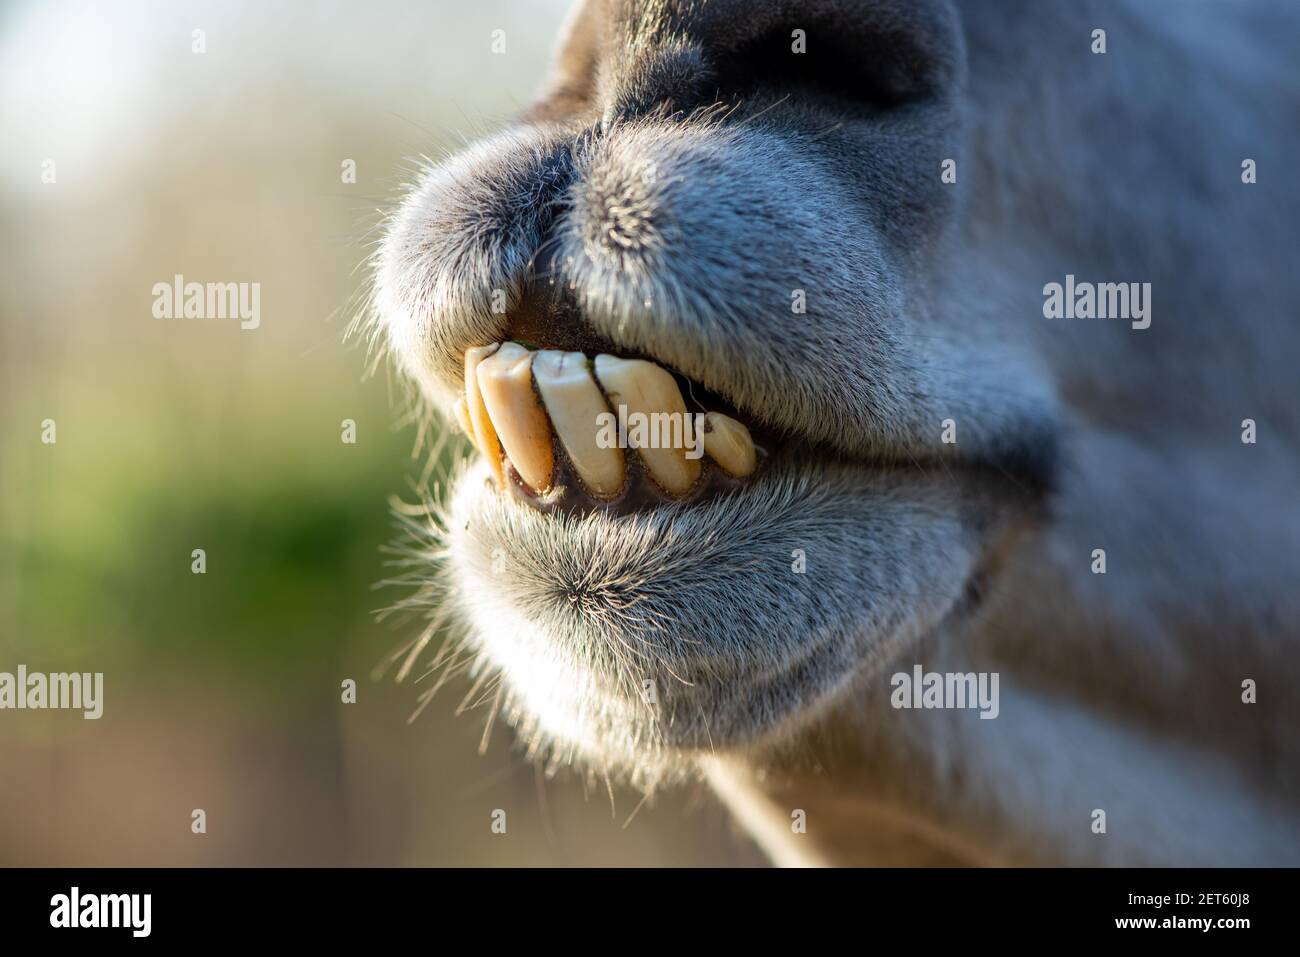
point(222, 691)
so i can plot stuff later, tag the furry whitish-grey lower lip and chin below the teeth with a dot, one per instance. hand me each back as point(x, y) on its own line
point(560, 600)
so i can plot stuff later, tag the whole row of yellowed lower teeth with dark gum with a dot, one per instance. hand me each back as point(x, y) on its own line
point(561, 430)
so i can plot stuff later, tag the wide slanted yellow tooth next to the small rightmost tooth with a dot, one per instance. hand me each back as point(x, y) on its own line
point(649, 389)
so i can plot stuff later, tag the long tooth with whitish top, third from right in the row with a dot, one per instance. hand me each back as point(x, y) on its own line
point(575, 405)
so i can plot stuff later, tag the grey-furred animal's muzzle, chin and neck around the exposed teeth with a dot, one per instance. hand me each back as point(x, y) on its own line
point(922, 187)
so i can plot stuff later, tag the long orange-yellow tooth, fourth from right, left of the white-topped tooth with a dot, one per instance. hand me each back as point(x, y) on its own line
point(506, 383)
